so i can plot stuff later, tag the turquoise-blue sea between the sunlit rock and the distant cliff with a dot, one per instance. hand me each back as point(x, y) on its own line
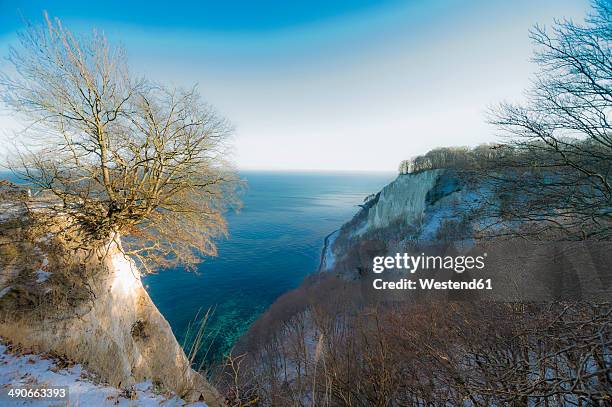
point(274, 242)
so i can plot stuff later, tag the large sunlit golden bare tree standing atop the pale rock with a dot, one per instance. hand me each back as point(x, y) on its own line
point(114, 154)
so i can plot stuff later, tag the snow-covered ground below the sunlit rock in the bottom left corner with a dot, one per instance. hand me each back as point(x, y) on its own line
point(39, 371)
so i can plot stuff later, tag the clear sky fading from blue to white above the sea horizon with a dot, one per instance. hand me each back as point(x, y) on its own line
point(324, 85)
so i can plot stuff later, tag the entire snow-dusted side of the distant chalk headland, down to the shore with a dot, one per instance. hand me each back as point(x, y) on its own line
point(413, 207)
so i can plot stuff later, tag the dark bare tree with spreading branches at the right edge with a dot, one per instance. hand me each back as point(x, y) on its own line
point(557, 178)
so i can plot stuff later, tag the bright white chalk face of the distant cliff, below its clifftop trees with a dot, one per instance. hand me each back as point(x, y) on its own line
point(404, 198)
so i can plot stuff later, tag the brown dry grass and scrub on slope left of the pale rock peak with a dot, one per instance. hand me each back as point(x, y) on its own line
point(26, 248)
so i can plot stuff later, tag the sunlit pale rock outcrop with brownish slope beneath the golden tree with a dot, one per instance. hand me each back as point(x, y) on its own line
point(115, 330)
